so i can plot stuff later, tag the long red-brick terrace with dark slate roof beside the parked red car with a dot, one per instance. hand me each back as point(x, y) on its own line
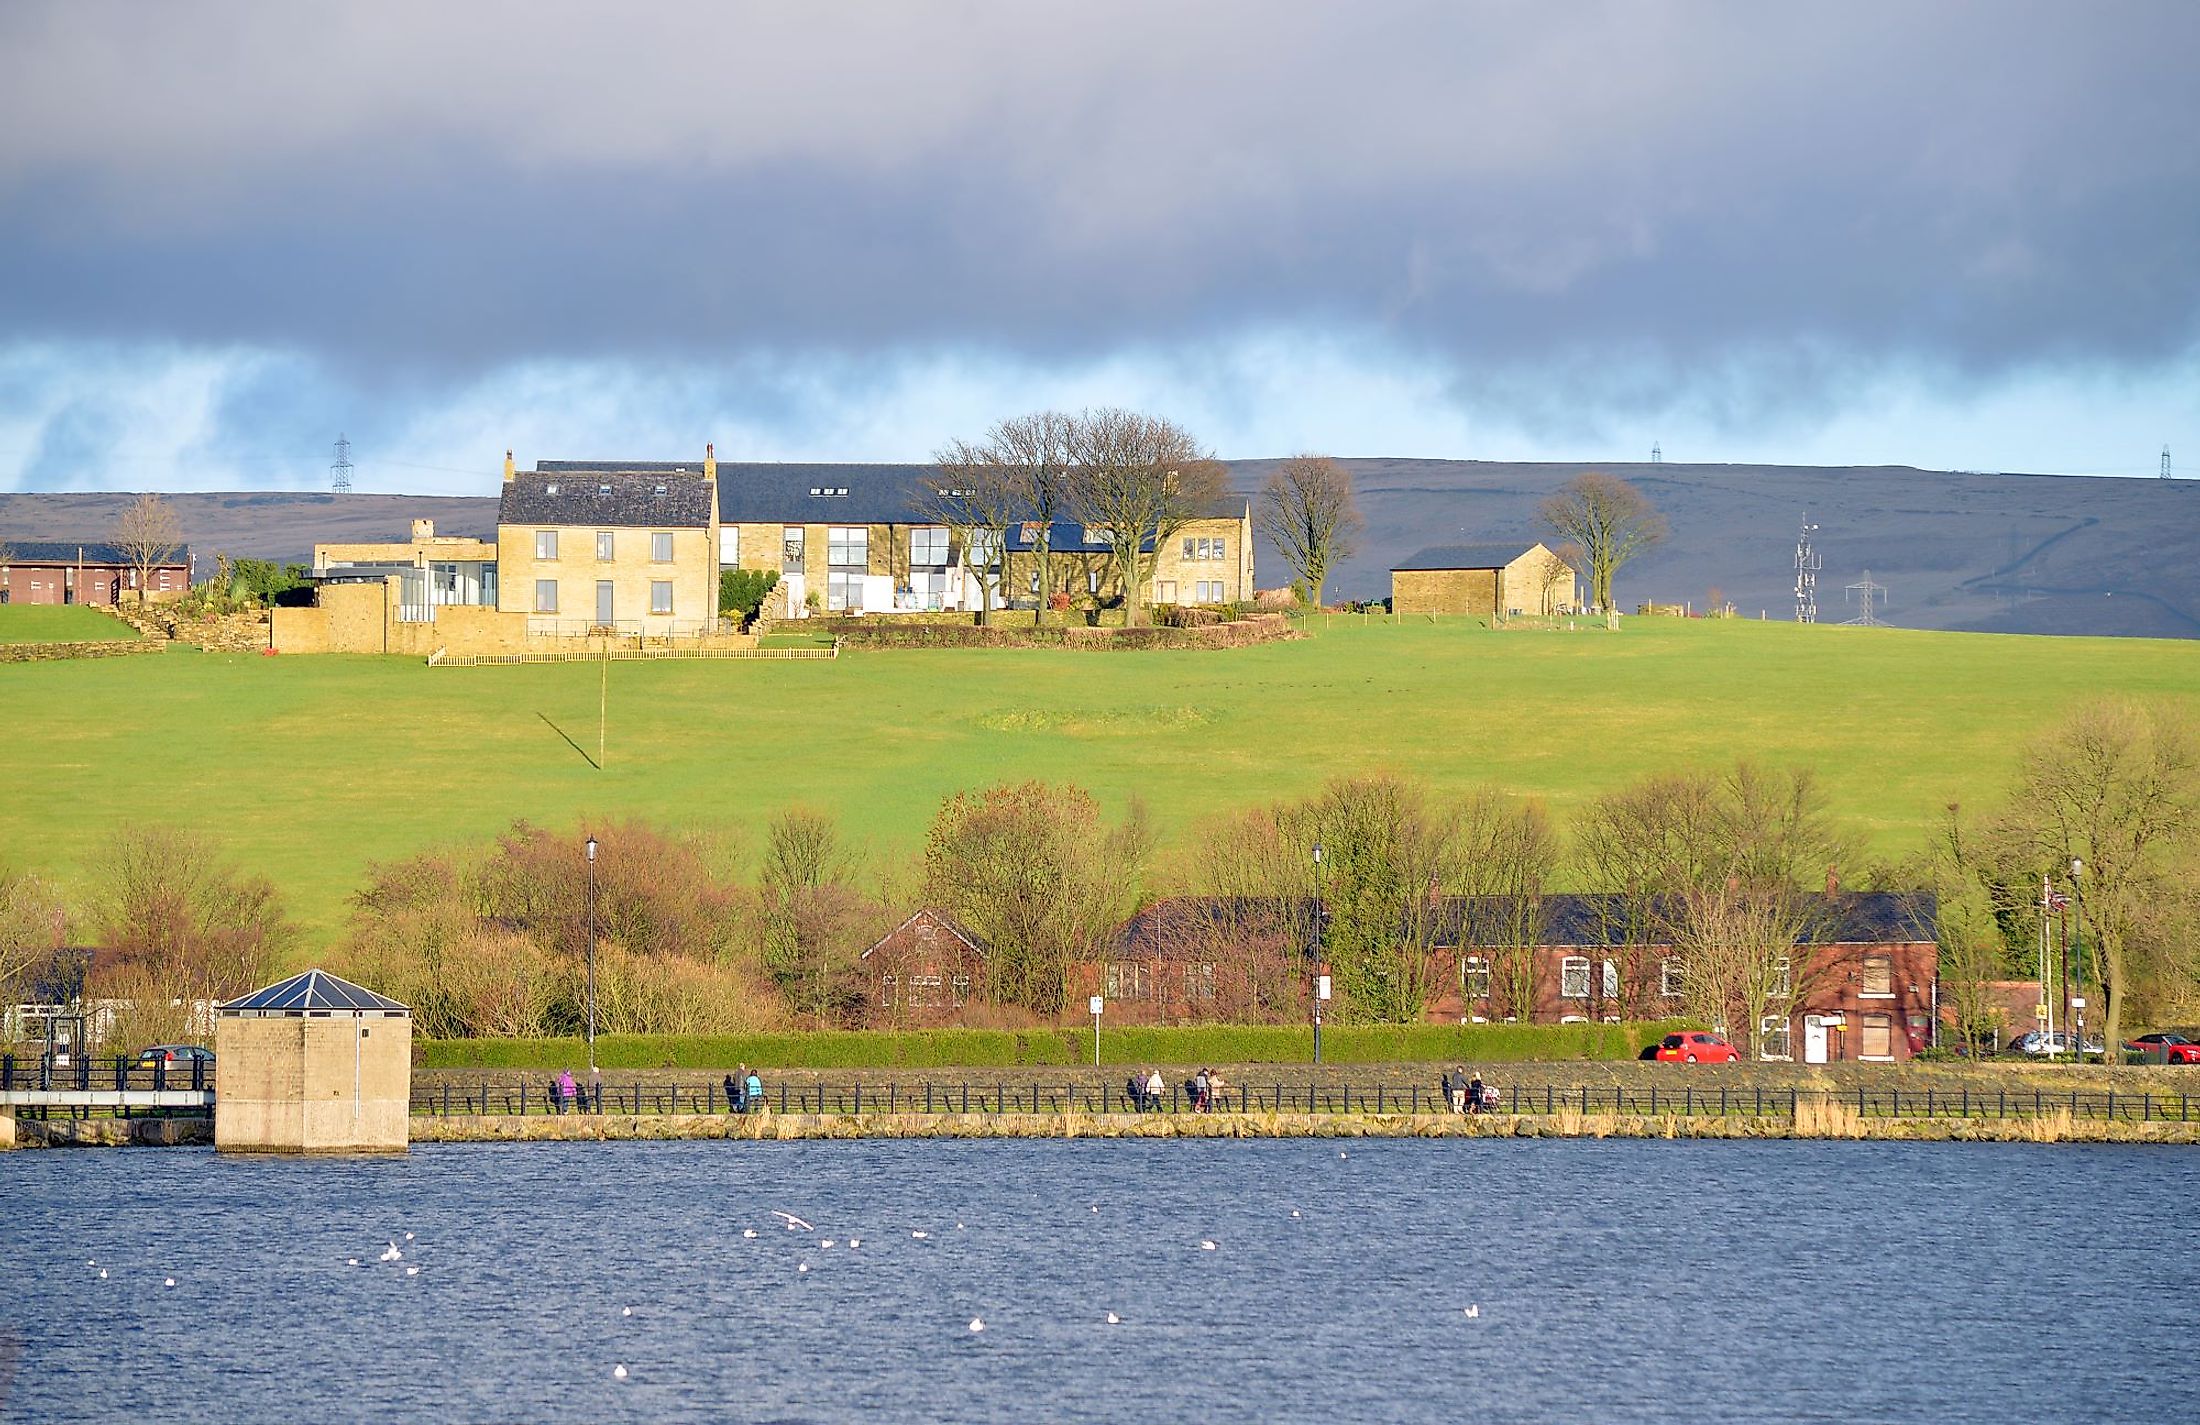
point(1864, 975)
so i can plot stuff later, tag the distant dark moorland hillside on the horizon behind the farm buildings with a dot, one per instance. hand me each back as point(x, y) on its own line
point(1957, 551)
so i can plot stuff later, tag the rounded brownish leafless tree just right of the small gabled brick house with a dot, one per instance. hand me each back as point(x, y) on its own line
point(1039, 876)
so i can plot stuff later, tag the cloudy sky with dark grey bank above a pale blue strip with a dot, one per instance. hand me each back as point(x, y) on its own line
point(1957, 234)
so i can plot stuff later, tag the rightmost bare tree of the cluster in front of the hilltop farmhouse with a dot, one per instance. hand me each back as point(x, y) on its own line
point(1136, 483)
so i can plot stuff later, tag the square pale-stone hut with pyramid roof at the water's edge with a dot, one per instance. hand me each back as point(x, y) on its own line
point(311, 1065)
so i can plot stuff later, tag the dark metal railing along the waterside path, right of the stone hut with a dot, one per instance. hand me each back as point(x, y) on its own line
point(522, 1096)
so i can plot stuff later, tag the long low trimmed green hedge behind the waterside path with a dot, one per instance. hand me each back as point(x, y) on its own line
point(1061, 1048)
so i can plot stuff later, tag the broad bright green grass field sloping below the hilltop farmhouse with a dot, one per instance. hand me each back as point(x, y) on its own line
point(309, 769)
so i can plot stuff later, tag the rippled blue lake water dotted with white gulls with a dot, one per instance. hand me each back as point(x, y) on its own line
point(1614, 1281)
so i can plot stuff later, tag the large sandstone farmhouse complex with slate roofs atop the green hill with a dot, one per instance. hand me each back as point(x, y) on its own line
point(632, 551)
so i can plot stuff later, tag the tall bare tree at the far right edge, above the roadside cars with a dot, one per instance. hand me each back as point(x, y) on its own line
point(2117, 788)
